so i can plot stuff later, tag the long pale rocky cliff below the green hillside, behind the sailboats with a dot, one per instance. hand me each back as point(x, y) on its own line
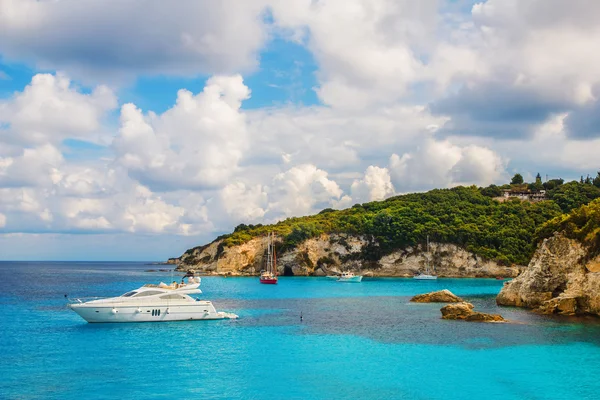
point(329, 254)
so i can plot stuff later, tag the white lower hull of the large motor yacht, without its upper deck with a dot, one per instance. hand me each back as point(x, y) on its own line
point(153, 313)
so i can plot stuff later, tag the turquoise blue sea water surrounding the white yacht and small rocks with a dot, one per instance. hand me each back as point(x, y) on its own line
point(355, 341)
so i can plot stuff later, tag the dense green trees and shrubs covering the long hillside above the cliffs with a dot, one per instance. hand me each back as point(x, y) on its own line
point(466, 216)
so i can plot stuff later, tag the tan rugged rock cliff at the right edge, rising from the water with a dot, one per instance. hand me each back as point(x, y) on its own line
point(561, 278)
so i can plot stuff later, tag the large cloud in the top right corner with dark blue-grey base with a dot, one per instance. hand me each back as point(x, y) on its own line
point(527, 53)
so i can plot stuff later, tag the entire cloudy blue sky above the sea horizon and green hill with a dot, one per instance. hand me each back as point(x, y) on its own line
point(133, 130)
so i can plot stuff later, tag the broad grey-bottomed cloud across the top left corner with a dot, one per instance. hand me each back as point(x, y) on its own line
point(114, 40)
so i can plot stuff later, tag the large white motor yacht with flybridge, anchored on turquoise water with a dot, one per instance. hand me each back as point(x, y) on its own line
point(150, 303)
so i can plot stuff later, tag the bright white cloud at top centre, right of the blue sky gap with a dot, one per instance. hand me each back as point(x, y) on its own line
point(368, 51)
